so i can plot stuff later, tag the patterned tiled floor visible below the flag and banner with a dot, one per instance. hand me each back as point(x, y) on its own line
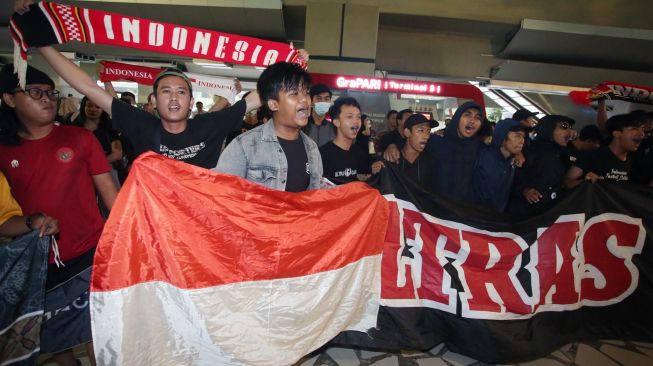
point(604, 353)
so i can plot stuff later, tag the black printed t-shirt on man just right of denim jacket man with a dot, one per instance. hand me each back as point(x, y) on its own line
point(341, 166)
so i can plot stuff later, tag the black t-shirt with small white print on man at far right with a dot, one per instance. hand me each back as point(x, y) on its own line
point(604, 163)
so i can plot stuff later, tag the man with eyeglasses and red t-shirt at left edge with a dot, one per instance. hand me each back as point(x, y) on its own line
point(56, 169)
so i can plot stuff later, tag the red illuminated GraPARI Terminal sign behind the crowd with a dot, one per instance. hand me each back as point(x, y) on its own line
point(465, 91)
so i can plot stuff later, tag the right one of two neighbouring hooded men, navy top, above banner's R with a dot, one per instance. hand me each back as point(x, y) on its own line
point(495, 168)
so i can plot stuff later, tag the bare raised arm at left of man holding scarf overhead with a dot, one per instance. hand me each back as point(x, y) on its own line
point(77, 78)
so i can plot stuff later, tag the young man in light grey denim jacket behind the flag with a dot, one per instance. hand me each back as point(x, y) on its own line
point(277, 154)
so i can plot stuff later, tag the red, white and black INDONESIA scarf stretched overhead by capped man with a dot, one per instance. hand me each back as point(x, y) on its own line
point(49, 23)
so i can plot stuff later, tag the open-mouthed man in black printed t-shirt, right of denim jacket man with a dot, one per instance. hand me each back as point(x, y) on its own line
point(342, 159)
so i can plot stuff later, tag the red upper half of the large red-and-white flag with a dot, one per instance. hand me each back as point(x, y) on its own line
point(193, 228)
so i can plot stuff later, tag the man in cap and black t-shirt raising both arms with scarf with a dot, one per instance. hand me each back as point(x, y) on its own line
point(197, 142)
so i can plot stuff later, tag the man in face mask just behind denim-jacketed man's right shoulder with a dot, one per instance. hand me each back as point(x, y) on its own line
point(318, 128)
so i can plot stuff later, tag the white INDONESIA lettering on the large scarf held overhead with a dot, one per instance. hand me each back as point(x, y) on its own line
point(153, 35)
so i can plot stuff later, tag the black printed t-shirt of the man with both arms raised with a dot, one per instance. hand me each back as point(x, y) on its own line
point(199, 144)
